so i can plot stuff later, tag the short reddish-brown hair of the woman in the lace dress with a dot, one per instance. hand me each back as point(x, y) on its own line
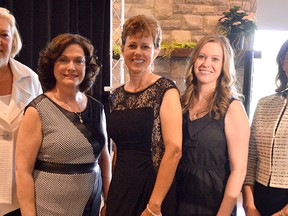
point(146, 25)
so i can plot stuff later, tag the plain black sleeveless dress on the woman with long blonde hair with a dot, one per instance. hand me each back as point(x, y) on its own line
point(204, 167)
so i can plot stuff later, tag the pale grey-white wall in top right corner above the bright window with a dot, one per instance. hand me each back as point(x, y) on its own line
point(272, 15)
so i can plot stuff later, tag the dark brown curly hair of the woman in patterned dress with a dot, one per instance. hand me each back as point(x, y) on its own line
point(55, 48)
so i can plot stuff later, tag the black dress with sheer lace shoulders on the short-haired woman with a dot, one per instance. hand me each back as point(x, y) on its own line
point(134, 126)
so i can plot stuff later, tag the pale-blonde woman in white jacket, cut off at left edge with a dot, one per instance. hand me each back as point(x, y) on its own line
point(18, 86)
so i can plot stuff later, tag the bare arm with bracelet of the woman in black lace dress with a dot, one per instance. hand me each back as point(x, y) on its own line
point(171, 123)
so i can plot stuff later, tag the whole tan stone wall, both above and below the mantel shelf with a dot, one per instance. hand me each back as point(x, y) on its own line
point(182, 21)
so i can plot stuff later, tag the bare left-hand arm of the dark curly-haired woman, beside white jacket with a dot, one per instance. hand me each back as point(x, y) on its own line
point(27, 146)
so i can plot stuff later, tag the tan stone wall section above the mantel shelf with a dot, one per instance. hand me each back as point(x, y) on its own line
point(184, 20)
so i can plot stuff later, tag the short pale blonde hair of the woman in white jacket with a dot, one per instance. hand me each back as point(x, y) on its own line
point(16, 39)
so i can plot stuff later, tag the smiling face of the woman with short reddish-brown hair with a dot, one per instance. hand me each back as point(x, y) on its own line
point(139, 53)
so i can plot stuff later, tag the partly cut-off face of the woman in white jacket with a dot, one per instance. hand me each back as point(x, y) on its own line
point(6, 40)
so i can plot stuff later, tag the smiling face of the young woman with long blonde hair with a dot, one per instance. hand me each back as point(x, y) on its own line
point(208, 65)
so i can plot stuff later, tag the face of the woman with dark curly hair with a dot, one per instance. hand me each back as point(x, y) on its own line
point(69, 68)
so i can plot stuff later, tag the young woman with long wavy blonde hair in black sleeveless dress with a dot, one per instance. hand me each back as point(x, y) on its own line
point(215, 133)
